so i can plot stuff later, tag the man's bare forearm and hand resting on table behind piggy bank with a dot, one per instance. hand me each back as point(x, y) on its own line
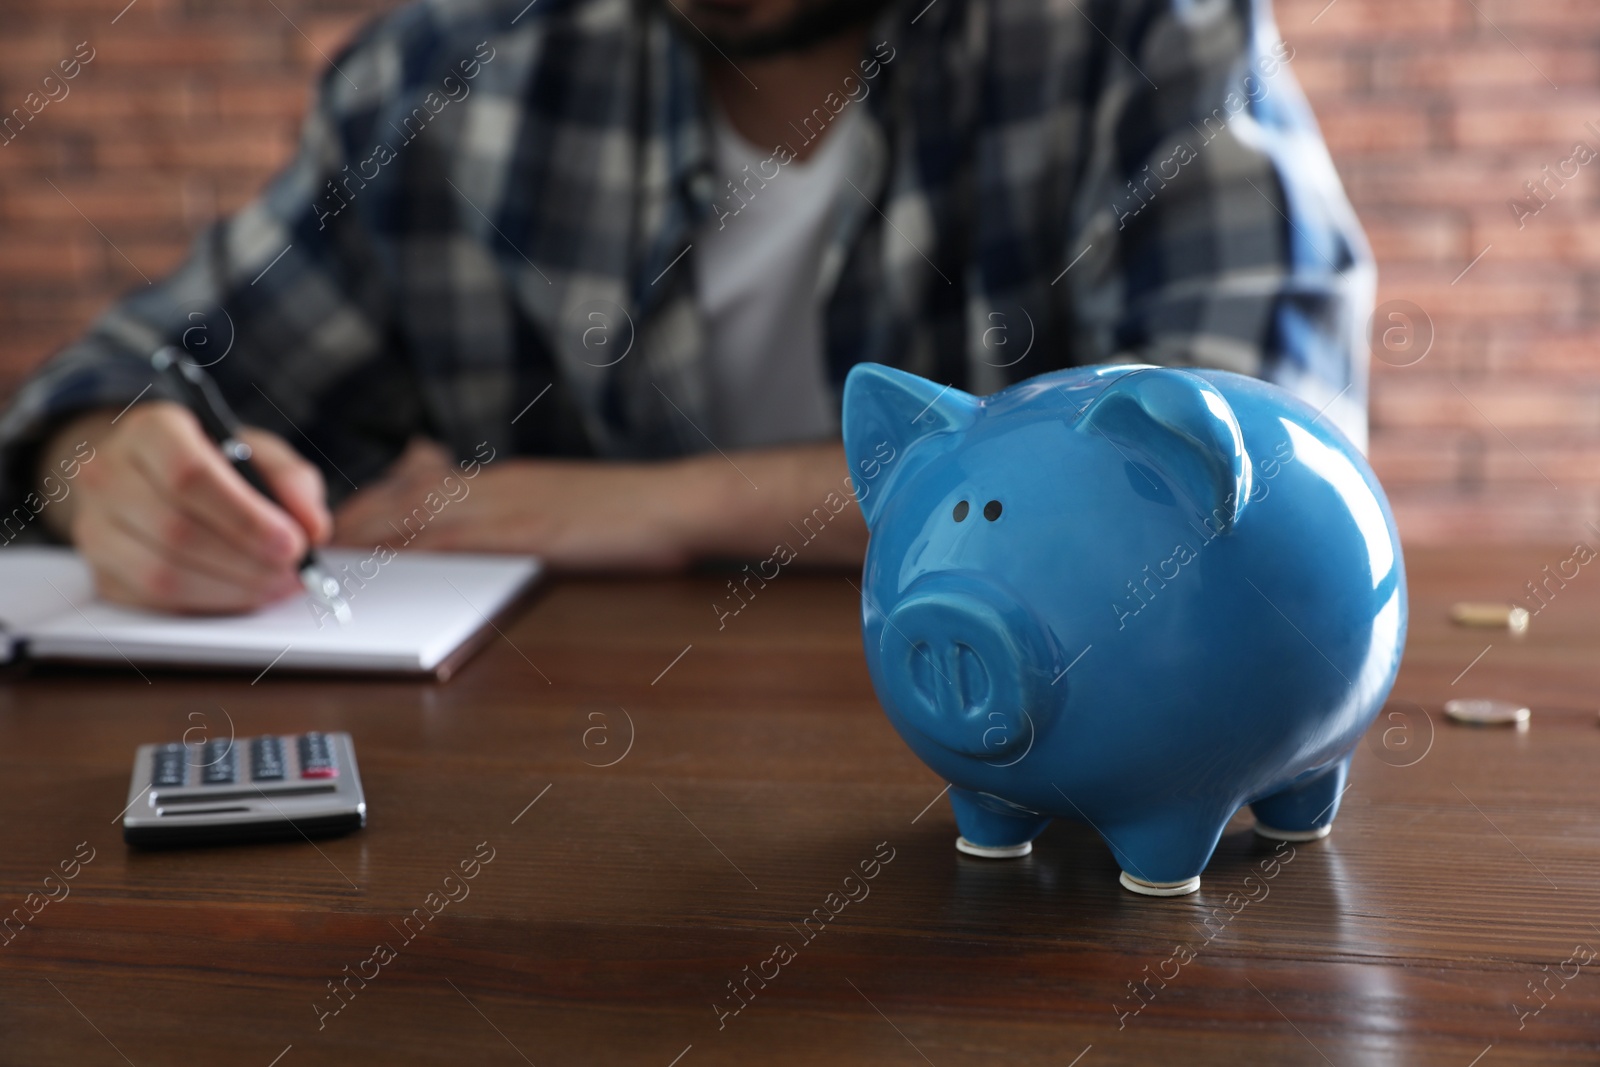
point(610, 516)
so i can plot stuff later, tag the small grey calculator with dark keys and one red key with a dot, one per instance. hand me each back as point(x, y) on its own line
point(241, 789)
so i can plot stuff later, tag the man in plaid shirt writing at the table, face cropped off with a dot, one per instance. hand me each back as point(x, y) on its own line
point(622, 254)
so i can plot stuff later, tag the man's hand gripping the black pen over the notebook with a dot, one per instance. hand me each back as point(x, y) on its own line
point(166, 522)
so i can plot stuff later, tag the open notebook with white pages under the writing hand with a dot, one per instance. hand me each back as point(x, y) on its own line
point(422, 613)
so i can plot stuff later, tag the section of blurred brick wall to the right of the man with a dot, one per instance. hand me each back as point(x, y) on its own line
point(1438, 113)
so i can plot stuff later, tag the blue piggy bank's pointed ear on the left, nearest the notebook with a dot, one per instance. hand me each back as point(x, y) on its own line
point(889, 412)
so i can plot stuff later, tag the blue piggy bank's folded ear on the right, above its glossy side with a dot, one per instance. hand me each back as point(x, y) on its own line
point(1183, 428)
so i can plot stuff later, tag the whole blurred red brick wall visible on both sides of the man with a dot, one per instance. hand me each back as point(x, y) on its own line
point(1438, 113)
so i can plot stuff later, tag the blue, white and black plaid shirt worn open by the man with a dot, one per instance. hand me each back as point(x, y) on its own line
point(487, 231)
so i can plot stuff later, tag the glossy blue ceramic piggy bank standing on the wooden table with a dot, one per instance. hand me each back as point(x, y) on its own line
point(1127, 596)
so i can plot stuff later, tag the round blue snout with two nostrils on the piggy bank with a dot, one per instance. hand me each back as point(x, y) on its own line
point(964, 671)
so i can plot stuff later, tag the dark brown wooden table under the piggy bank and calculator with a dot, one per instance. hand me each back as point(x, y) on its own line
point(665, 802)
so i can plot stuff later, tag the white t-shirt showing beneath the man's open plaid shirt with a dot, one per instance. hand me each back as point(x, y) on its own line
point(756, 278)
